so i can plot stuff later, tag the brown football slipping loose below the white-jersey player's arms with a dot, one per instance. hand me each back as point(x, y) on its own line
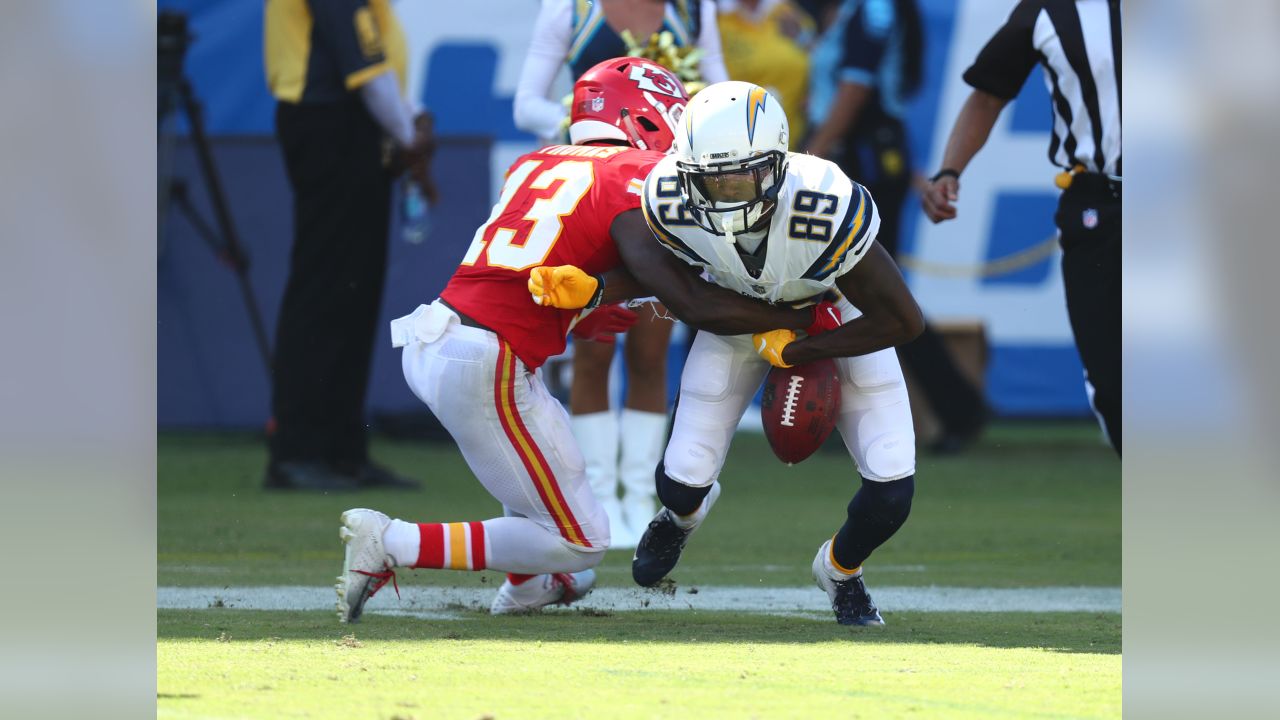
point(799, 408)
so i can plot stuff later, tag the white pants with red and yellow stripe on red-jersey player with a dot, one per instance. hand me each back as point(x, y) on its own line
point(515, 438)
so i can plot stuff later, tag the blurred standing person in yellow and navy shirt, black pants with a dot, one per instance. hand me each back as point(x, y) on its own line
point(336, 70)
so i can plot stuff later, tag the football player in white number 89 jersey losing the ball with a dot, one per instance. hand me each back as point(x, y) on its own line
point(788, 229)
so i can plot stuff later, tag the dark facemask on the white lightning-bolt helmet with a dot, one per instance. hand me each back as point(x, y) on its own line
point(733, 198)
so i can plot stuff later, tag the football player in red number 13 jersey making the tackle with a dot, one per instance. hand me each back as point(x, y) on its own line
point(472, 356)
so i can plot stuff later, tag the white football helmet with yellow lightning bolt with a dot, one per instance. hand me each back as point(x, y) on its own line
point(732, 156)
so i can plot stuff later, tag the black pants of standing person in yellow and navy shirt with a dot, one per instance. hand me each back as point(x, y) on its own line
point(328, 320)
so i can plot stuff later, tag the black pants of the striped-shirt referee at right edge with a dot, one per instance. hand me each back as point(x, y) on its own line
point(1089, 217)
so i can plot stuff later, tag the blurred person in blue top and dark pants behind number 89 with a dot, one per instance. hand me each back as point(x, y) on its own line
point(868, 63)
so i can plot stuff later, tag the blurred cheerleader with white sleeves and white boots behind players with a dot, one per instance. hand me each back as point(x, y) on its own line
point(580, 35)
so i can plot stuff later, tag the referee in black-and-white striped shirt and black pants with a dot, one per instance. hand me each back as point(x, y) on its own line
point(1078, 44)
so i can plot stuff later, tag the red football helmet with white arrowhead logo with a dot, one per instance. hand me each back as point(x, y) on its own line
point(630, 101)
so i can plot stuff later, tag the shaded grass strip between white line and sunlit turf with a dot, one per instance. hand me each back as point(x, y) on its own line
point(1054, 632)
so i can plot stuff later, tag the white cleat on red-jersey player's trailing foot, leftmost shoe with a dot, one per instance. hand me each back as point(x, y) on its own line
point(367, 567)
